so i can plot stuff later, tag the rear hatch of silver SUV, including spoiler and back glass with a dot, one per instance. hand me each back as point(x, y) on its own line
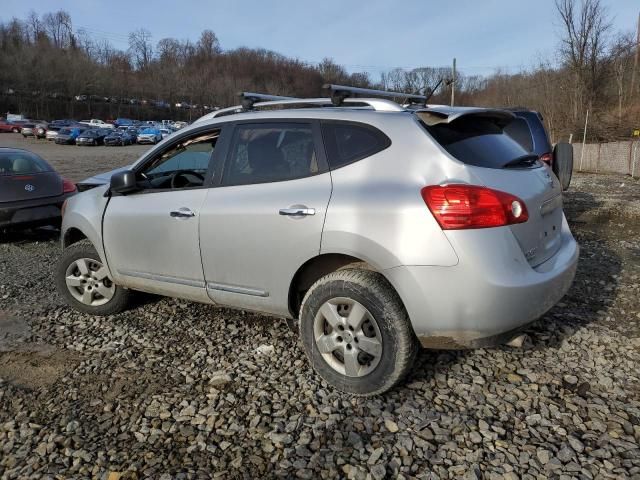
point(477, 139)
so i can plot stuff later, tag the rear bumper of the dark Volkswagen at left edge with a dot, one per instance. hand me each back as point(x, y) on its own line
point(42, 211)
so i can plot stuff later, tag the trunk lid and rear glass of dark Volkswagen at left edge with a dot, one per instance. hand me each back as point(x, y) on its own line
point(24, 176)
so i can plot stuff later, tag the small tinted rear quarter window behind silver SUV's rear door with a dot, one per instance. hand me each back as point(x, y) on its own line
point(349, 142)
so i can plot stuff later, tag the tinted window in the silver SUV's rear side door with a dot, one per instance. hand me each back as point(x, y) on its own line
point(270, 152)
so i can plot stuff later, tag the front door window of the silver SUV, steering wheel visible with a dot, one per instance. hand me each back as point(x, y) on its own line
point(183, 165)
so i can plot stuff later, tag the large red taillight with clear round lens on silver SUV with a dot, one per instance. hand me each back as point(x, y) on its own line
point(457, 207)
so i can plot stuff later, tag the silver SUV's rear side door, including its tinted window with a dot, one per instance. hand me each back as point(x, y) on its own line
point(265, 219)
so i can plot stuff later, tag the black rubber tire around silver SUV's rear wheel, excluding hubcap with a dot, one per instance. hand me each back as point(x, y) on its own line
point(399, 344)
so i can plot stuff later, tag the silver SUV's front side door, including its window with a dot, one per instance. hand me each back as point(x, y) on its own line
point(151, 236)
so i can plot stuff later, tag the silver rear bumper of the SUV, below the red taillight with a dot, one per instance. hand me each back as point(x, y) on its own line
point(489, 296)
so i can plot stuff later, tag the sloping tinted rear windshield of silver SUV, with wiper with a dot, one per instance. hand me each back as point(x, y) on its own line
point(481, 142)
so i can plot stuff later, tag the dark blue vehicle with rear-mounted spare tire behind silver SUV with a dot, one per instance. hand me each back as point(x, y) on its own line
point(528, 130)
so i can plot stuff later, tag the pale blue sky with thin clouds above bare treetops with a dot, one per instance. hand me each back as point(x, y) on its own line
point(368, 35)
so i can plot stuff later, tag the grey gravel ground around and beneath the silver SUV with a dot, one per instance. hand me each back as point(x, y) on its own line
point(171, 389)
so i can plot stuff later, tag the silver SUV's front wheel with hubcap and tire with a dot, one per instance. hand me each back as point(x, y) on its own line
point(84, 282)
